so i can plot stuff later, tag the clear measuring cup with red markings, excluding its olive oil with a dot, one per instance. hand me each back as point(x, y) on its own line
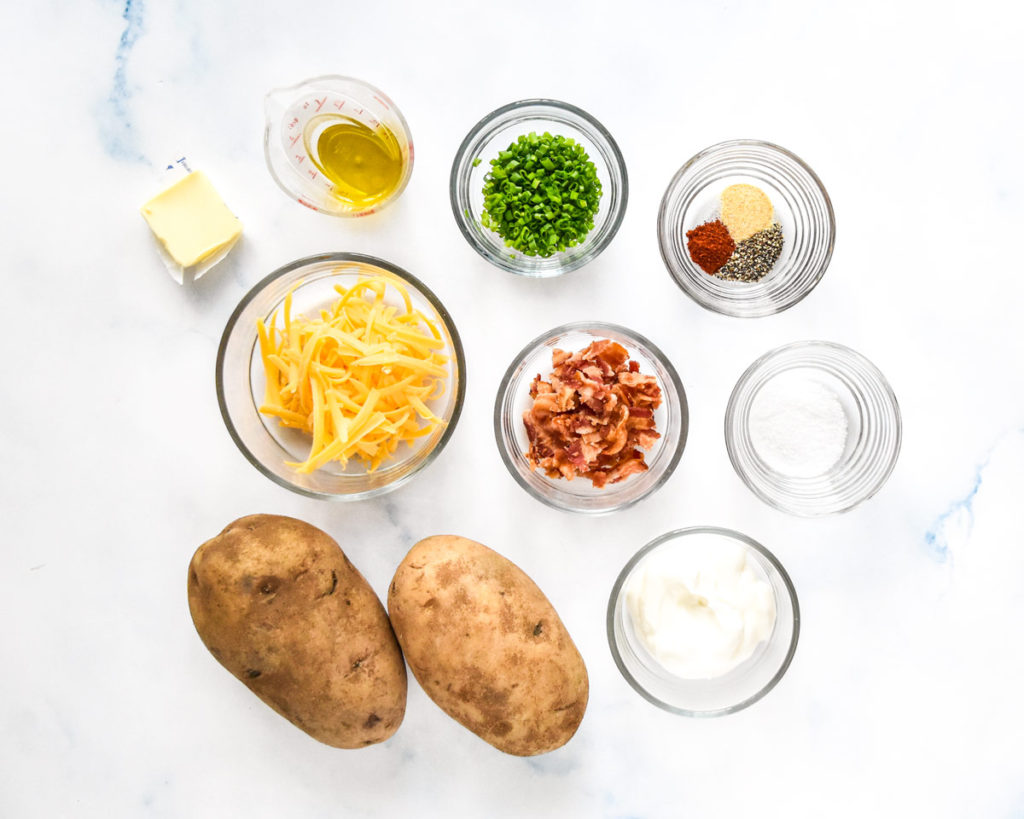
point(296, 115)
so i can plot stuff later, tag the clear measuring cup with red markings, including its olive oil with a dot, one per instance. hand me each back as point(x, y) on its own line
point(337, 145)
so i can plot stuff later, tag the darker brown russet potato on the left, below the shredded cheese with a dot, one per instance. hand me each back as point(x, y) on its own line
point(280, 607)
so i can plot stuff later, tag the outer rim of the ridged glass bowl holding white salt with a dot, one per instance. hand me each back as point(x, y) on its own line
point(842, 351)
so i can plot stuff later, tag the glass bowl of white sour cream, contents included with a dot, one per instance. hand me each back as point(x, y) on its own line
point(703, 622)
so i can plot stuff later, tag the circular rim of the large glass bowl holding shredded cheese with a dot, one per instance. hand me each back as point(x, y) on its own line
point(340, 256)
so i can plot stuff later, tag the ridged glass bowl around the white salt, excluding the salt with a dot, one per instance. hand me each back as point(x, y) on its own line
point(874, 429)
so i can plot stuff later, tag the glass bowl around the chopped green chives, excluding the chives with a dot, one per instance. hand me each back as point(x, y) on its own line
point(496, 133)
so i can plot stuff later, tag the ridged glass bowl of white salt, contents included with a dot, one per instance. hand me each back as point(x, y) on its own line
point(814, 428)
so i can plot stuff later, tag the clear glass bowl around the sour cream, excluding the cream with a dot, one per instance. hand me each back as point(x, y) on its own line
point(735, 691)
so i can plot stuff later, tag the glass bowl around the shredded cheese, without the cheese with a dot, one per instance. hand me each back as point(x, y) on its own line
point(241, 380)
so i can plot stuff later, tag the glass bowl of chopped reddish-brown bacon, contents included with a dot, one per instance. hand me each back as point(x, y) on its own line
point(591, 418)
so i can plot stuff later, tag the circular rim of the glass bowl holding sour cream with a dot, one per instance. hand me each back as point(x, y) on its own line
point(682, 533)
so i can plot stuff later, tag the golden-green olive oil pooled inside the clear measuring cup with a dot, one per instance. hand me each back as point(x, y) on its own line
point(364, 163)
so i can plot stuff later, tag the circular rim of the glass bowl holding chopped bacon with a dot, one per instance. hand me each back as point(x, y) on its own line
point(658, 356)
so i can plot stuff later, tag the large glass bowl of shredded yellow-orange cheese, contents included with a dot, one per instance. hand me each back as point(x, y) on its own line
point(340, 376)
